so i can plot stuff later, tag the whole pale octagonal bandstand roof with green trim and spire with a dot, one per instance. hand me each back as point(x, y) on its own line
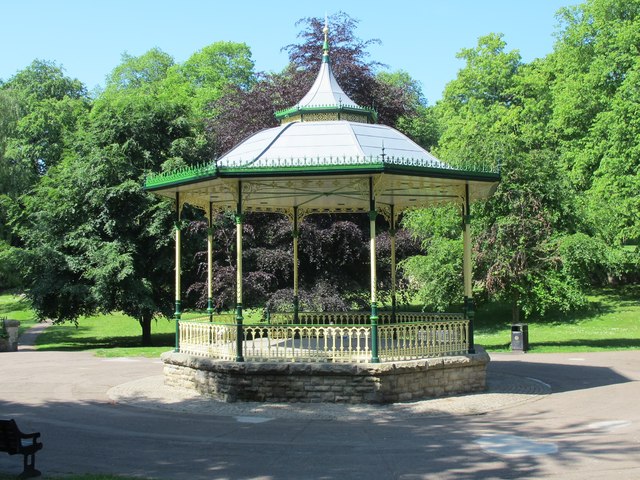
point(328, 155)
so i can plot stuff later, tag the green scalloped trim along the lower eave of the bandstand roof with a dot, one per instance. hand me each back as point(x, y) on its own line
point(327, 166)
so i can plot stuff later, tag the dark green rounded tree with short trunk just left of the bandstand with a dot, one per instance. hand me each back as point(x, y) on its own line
point(96, 243)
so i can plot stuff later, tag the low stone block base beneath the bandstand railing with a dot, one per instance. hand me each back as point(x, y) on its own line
point(327, 382)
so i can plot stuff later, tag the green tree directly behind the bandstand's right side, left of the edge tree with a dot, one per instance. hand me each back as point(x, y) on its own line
point(497, 110)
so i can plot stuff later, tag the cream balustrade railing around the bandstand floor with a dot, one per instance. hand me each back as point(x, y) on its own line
point(433, 335)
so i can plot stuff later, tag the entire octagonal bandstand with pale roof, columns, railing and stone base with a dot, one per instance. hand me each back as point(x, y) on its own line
point(327, 156)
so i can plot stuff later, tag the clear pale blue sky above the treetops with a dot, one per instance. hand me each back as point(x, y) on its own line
point(88, 37)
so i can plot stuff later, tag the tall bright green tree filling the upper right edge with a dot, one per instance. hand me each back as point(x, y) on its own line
point(595, 118)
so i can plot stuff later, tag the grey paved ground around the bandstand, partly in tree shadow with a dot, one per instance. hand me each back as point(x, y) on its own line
point(546, 416)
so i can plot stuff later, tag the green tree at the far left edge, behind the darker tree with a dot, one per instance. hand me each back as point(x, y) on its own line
point(40, 109)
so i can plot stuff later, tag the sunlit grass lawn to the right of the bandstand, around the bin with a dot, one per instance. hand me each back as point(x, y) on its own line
point(610, 322)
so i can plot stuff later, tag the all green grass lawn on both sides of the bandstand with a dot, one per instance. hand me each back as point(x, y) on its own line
point(611, 322)
